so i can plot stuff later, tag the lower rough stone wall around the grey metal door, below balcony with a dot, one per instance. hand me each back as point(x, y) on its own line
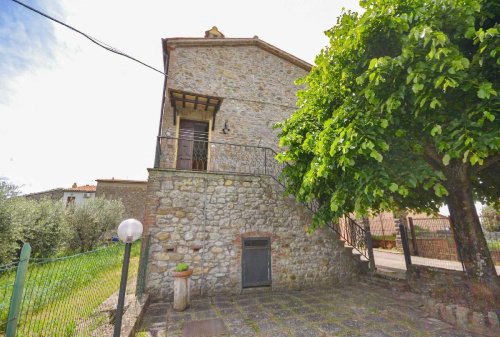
point(201, 218)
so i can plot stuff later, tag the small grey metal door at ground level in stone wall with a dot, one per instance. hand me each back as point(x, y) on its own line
point(256, 262)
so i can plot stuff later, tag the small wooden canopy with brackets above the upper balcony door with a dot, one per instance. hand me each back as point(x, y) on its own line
point(180, 99)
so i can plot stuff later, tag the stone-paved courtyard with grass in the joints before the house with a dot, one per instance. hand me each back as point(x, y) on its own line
point(356, 310)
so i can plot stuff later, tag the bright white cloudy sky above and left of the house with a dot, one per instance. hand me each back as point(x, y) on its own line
point(80, 113)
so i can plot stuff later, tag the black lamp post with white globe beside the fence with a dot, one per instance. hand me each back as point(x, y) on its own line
point(129, 231)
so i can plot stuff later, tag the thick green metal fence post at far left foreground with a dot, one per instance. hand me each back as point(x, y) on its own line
point(17, 294)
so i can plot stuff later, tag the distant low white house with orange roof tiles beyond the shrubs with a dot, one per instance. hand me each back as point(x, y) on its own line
point(75, 195)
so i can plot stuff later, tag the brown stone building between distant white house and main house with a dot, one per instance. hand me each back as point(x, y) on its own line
point(131, 193)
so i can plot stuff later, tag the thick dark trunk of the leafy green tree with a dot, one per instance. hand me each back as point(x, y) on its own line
point(471, 244)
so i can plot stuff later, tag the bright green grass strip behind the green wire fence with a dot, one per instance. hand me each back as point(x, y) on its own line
point(61, 295)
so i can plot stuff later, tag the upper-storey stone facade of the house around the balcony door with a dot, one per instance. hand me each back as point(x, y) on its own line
point(257, 87)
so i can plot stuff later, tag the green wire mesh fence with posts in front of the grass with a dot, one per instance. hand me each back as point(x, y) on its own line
point(67, 296)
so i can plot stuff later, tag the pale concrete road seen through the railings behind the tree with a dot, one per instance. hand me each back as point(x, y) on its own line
point(394, 260)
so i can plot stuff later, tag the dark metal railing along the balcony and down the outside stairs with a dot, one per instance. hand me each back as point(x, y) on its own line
point(198, 154)
